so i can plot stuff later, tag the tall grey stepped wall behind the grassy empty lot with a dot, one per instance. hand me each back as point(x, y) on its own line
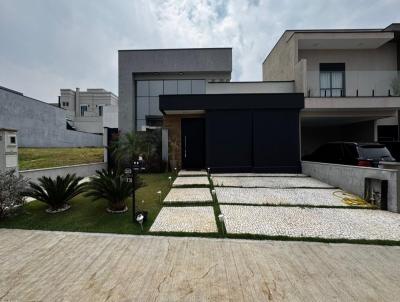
point(40, 124)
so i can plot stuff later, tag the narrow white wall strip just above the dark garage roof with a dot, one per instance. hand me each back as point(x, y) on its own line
point(250, 87)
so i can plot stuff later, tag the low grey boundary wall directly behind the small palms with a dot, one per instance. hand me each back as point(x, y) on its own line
point(80, 170)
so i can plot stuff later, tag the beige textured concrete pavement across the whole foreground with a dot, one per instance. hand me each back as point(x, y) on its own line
point(55, 266)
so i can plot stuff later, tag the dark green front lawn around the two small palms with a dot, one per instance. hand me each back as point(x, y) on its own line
point(86, 215)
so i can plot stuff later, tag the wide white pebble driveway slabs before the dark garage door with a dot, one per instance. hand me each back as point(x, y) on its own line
point(298, 206)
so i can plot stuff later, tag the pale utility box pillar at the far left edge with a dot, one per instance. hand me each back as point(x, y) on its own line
point(8, 149)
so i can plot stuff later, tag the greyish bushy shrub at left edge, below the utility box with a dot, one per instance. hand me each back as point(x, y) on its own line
point(12, 188)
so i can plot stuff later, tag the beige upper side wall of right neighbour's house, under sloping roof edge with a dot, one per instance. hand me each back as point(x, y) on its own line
point(280, 62)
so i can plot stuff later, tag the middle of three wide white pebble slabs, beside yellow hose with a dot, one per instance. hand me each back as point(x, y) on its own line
point(268, 196)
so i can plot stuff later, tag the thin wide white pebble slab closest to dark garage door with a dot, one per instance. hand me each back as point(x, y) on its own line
point(269, 182)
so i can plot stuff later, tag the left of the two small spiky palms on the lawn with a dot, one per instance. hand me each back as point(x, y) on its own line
point(56, 192)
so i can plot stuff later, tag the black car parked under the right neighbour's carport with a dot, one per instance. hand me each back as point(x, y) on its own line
point(350, 153)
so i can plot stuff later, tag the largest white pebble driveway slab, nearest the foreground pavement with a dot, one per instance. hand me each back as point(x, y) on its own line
point(326, 223)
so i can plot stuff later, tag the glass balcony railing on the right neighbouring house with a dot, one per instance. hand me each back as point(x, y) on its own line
point(365, 83)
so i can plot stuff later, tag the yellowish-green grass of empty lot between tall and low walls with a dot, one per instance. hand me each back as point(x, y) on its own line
point(37, 158)
